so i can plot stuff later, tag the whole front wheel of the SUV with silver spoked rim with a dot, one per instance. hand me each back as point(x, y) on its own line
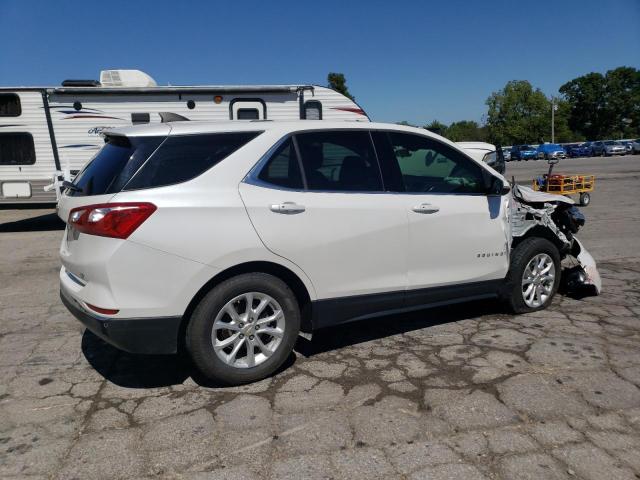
point(534, 275)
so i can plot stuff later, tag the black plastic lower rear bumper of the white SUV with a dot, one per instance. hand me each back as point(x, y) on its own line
point(134, 335)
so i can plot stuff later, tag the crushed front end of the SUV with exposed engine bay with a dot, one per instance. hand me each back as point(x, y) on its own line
point(557, 218)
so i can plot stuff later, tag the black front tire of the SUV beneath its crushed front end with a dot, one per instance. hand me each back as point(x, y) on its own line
point(524, 254)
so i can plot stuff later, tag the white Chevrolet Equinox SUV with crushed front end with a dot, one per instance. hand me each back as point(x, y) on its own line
point(231, 238)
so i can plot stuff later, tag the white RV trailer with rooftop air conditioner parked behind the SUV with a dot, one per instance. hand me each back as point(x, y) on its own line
point(49, 133)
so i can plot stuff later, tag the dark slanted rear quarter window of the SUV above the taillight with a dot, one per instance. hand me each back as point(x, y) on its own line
point(182, 158)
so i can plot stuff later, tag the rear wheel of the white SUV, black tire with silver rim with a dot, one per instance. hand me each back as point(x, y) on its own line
point(215, 306)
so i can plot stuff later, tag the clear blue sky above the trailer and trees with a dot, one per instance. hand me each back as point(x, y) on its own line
point(414, 61)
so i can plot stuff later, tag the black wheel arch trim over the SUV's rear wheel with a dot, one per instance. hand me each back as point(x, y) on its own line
point(292, 280)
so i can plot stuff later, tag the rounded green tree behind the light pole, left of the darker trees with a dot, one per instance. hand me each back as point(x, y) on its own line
point(518, 114)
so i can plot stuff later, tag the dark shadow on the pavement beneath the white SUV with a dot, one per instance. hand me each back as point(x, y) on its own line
point(153, 371)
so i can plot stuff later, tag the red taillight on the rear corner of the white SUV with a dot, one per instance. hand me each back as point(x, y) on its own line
point(116, 220)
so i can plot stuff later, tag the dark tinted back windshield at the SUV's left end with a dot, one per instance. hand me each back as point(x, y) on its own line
point(114, 165)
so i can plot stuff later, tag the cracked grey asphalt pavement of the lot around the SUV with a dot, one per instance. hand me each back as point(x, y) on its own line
point(465, 392)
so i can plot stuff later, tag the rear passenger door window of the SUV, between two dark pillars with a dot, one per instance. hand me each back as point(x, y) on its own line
point(339, 161)
